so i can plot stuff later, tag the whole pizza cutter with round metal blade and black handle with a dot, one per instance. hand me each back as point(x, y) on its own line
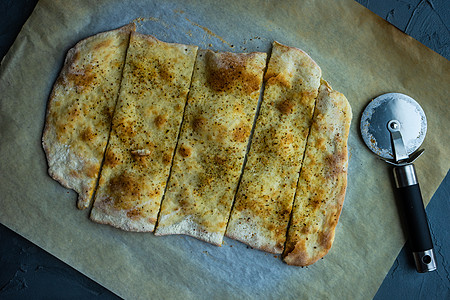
point(393, 126)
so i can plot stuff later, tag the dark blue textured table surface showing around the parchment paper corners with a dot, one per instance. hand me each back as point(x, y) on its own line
point(28, 272)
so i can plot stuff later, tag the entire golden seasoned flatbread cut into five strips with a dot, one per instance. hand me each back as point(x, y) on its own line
point(177, 138)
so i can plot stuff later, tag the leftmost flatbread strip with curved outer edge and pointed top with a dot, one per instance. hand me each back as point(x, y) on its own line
point(80, 109)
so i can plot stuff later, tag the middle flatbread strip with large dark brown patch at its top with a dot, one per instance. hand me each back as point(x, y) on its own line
point(210, 152)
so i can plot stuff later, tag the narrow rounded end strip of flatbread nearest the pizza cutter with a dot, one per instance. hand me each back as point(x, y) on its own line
point(323, 181)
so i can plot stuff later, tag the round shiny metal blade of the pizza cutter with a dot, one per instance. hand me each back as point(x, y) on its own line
point(385, 108)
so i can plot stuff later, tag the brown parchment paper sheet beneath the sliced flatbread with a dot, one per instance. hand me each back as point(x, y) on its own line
point(360, 54)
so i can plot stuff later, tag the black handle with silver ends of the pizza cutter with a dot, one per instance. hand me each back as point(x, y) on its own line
point(410, 198)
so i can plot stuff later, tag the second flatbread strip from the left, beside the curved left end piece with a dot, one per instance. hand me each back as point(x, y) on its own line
point(145, 127)
